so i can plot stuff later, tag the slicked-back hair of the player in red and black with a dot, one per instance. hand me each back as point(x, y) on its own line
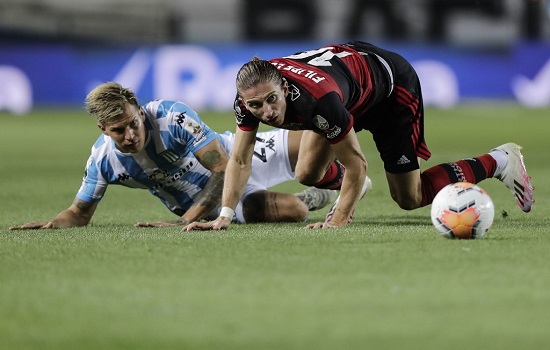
point(255, 72)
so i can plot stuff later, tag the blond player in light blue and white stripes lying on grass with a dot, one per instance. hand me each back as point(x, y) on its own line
point(166, 148)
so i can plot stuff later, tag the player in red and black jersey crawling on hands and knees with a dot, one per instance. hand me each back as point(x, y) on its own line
point(333, 93)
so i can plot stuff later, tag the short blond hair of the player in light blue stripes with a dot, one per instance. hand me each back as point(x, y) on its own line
point(107, 102)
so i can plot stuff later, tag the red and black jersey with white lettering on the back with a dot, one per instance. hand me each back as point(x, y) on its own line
point(328, 88)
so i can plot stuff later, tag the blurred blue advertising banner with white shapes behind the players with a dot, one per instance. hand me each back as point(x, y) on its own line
point(204, 75)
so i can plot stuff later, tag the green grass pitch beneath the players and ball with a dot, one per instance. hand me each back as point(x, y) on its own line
point(388, 281)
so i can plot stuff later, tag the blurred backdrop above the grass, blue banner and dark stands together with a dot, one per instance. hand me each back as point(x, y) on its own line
point(53, 51)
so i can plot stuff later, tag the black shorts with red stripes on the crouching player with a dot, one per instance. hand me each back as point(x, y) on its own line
point(396, 116)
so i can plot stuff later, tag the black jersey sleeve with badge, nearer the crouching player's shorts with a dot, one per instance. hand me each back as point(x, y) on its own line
point(331, 118)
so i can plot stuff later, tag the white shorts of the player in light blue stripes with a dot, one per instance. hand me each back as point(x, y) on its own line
point(270, 163)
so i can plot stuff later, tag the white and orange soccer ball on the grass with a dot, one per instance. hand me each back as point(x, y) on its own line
point(462, 210)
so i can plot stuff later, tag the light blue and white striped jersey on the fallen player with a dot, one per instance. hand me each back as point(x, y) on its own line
point(166, 166)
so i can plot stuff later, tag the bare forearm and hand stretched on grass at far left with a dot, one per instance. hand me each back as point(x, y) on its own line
point(78, 214)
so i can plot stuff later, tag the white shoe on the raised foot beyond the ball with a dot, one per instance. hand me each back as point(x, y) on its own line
point(514, 176)
